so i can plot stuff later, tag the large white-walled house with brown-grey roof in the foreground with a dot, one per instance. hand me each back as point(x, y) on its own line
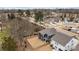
point(63, 42)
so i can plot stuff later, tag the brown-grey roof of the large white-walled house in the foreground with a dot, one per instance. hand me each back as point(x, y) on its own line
point(62, 38)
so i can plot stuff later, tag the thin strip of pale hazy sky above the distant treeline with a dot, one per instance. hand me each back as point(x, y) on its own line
point(39, 7)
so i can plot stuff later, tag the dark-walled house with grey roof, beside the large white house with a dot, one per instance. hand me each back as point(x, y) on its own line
point(46, 34)
